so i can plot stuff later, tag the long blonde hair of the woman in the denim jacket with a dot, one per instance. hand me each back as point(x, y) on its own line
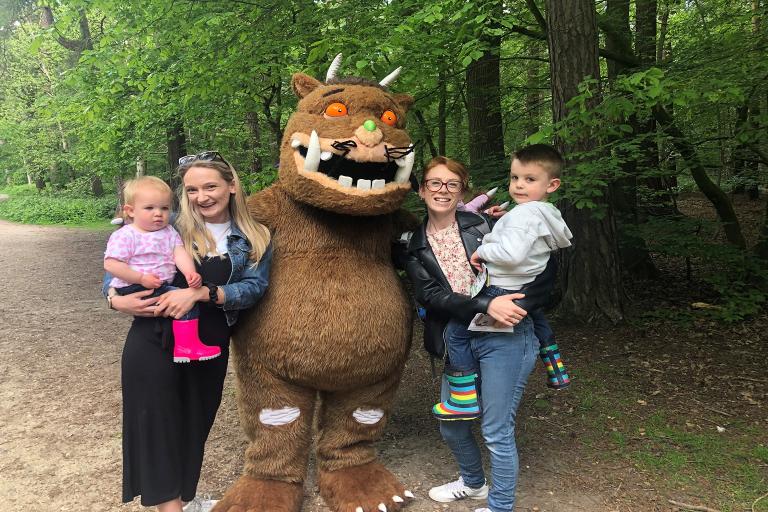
point(191, 225)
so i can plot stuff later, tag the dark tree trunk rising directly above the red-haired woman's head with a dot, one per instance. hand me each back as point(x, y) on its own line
point(486, 132)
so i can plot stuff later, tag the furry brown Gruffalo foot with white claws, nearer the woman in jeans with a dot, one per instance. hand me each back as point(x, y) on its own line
point(367, 488)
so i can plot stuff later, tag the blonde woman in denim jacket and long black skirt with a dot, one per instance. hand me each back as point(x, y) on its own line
point(168, 409)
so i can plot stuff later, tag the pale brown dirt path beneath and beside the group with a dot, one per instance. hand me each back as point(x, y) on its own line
point(60, 400)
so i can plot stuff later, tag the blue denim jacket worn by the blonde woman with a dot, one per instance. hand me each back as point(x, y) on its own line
point(246, 284)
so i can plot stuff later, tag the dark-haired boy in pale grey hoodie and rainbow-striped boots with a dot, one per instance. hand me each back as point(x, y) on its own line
point(515, 252)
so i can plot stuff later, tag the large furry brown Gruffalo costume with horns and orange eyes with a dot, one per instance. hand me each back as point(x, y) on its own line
point(329, 340)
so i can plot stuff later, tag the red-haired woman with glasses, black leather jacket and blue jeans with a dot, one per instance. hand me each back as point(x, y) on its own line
point(438, 266)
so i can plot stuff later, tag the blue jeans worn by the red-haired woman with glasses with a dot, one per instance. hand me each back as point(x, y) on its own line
point(505, 361)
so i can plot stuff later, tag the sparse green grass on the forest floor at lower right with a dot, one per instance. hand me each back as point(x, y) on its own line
point(672, 448)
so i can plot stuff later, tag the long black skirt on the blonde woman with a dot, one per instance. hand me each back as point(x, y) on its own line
point(168, 411)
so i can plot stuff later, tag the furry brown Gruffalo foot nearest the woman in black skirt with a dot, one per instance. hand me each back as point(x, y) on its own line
point(254, 495)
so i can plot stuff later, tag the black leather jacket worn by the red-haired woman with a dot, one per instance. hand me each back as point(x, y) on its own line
point(431, 288)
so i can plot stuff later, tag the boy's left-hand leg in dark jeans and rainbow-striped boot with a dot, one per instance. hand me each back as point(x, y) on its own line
point(461, 374)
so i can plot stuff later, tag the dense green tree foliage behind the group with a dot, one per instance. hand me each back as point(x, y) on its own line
point(88, 88)
